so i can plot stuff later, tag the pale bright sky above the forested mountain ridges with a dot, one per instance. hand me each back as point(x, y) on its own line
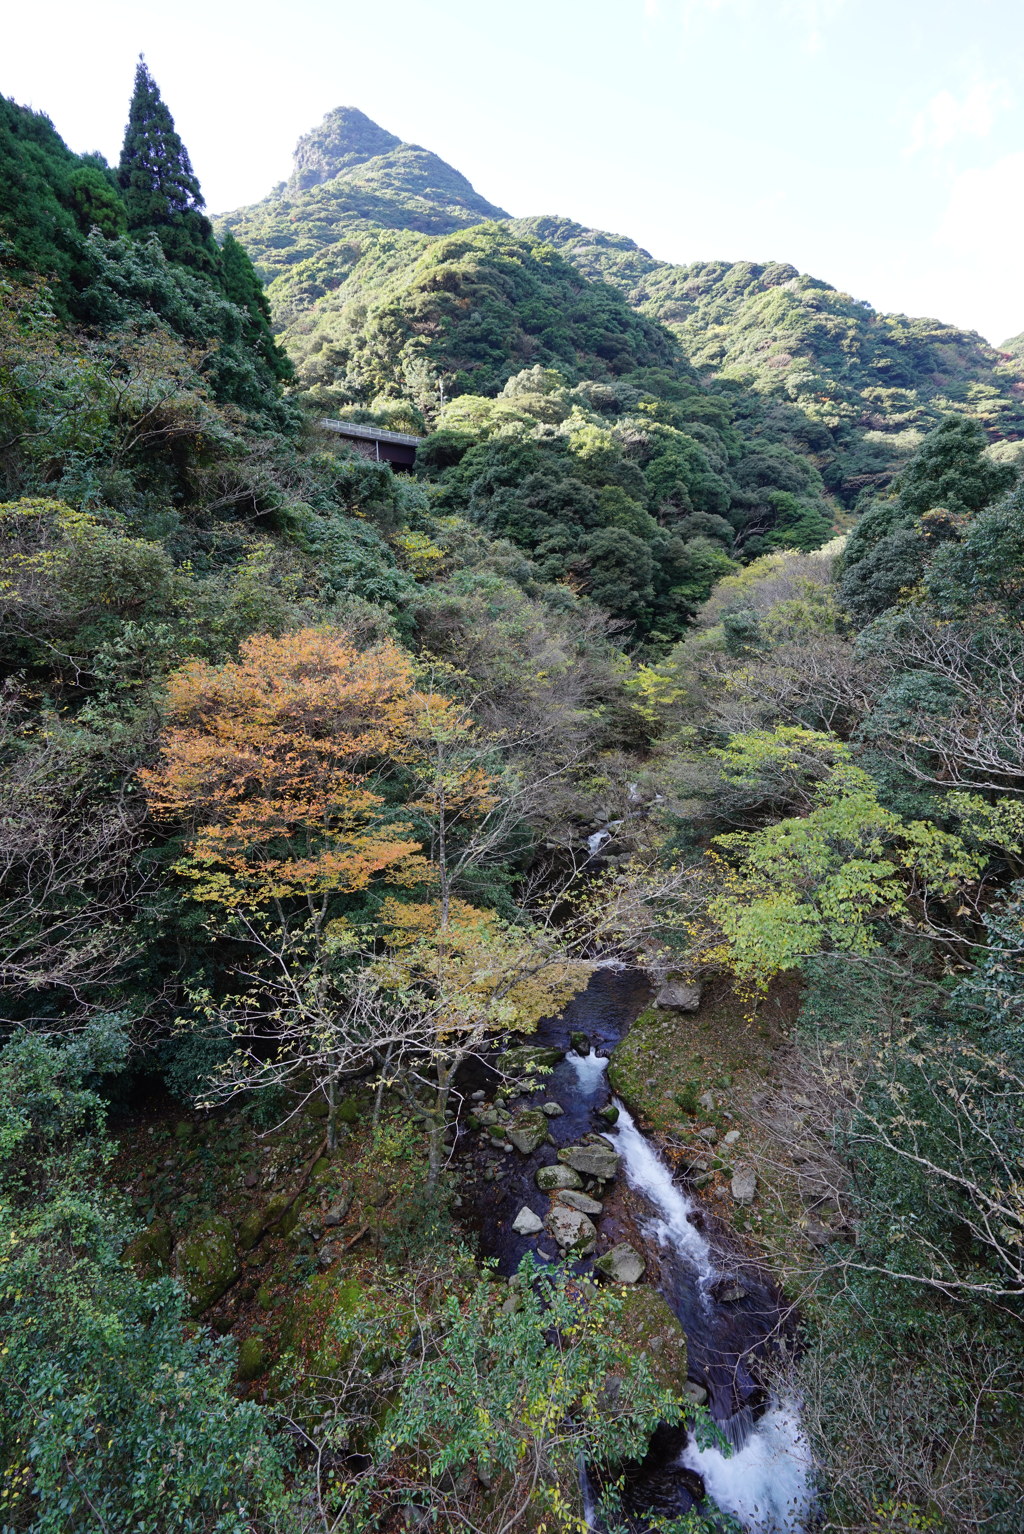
point(878, 145)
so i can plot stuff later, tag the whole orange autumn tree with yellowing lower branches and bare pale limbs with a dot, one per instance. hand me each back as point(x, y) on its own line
point(274, 766)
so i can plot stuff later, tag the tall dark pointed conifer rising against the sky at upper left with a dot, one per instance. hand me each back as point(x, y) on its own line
point(162, 193)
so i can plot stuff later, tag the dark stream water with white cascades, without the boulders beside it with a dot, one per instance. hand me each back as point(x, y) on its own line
point(730, 1311)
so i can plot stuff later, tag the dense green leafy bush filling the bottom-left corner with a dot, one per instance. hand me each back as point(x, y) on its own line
point(111, 1418)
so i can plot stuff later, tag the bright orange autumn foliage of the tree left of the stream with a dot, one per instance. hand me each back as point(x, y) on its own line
point(271, 763)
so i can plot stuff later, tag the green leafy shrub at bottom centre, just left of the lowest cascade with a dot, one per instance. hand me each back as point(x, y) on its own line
point(516, 1388)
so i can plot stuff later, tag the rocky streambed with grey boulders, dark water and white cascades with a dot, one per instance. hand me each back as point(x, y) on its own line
point(565, 1173)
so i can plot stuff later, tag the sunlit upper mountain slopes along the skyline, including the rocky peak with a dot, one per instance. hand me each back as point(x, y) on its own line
point(346, 246)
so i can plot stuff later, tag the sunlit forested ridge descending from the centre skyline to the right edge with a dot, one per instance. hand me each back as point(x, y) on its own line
point(876, 383)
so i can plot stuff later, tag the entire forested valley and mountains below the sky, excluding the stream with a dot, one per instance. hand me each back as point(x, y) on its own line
point(695, 644)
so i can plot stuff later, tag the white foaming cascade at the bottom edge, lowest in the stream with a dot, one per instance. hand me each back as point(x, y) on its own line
point(767, 1483)
